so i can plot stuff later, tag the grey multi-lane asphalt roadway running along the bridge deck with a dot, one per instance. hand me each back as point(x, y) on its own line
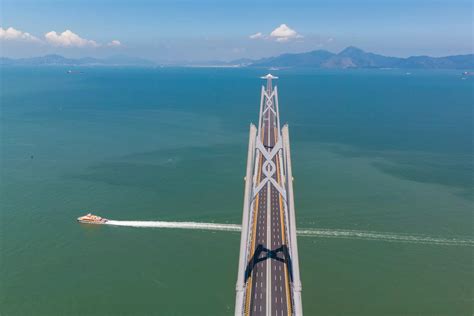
point(270, 288)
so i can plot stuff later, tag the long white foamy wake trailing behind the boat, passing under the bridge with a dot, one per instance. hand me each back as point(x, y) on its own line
point(309, 232)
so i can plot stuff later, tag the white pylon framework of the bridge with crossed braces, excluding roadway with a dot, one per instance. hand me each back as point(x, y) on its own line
point(260, 150)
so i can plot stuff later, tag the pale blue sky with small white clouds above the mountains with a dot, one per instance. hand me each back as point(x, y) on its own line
point(223, 30)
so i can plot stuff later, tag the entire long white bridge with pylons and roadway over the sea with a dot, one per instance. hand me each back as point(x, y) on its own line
point(268, 281)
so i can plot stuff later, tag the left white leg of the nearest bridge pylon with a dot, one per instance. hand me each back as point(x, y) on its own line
point(246, 223)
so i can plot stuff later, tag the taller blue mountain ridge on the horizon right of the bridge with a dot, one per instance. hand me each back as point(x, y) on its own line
point(353, 57)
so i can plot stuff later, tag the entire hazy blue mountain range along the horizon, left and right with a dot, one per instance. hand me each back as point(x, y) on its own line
point(351, 57)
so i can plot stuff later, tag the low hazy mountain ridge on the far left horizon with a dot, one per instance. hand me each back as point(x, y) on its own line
point(58, 60)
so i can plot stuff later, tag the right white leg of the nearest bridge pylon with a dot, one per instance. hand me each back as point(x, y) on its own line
point(298, 307)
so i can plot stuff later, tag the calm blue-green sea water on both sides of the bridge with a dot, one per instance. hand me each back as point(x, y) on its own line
point(373, 150)
